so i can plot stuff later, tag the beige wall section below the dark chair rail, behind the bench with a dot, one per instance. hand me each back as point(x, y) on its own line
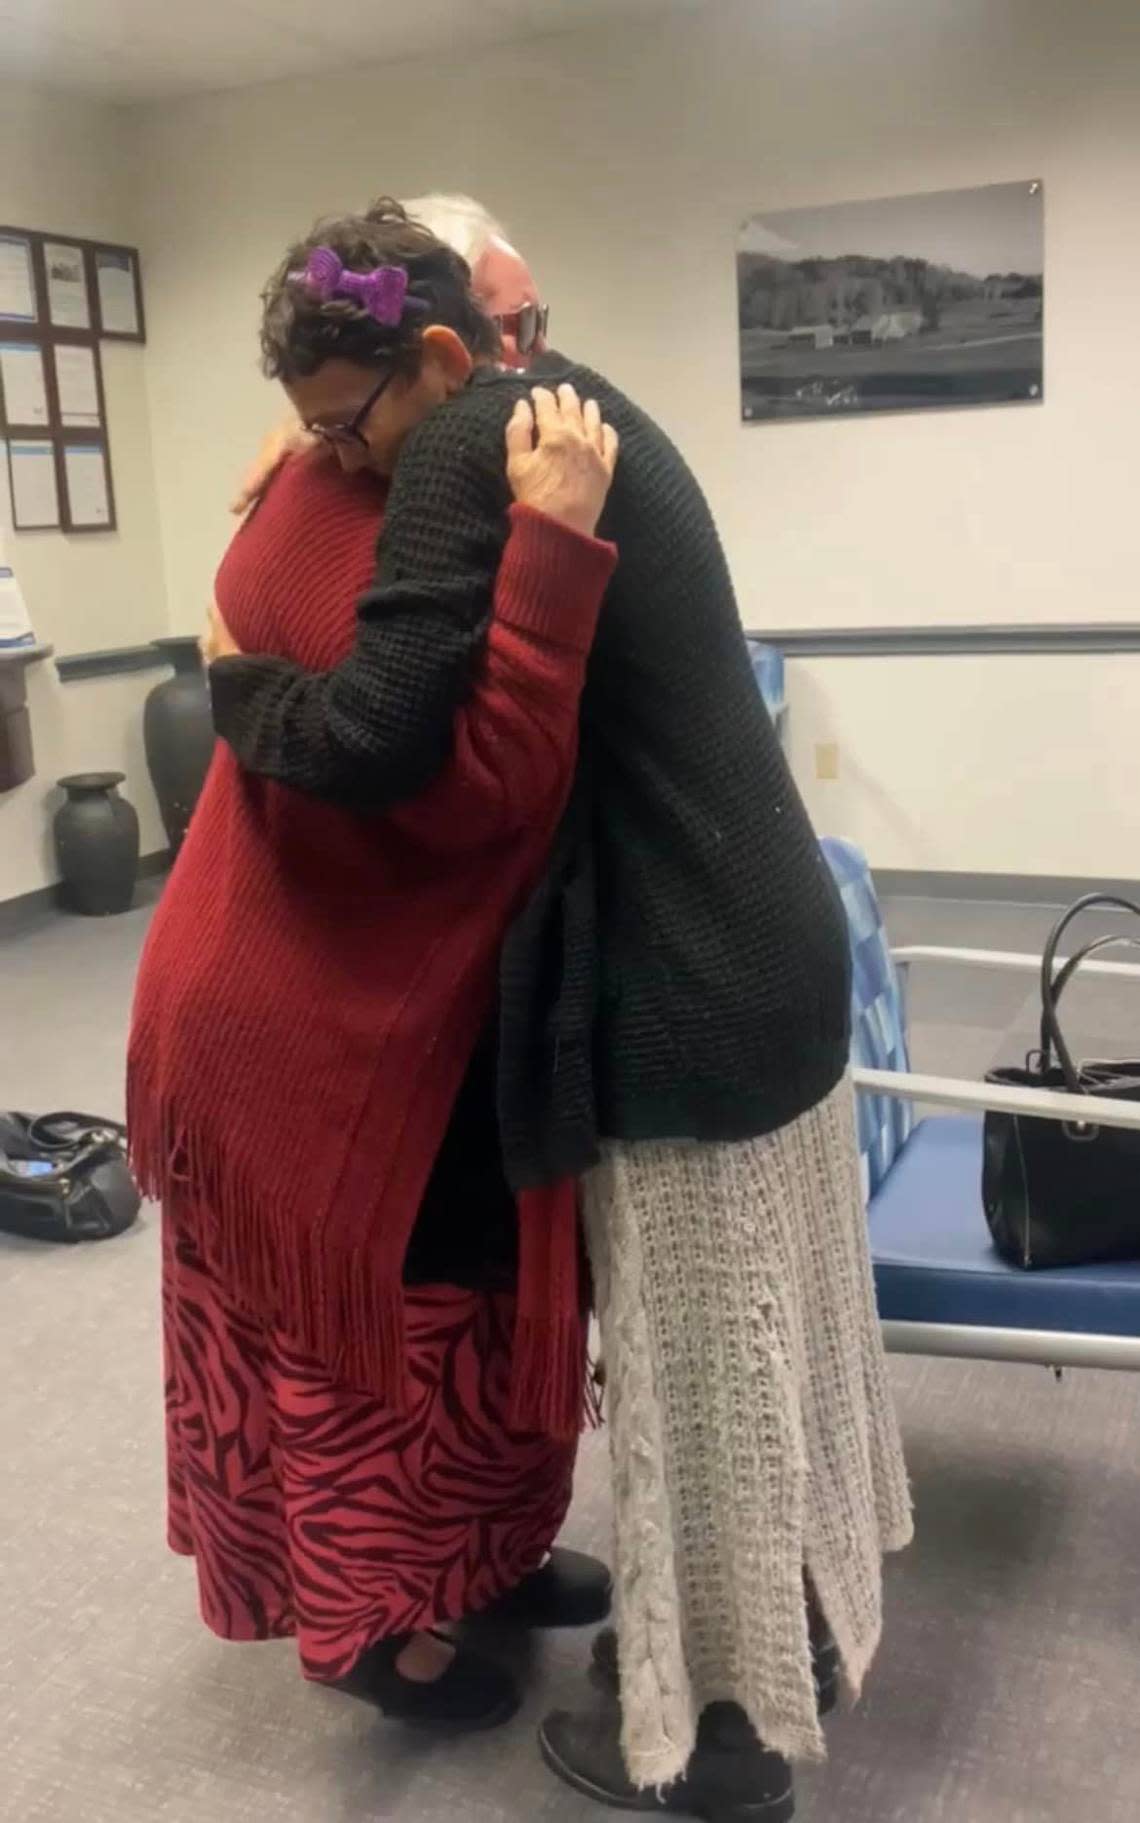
point(990, 765)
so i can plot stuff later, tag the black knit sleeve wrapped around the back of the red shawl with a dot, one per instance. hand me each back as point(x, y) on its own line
point(378, 728)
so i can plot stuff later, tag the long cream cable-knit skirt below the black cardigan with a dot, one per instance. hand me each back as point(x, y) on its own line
point(752, 1426)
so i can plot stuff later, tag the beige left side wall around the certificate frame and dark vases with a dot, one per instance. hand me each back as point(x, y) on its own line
point(65, 165)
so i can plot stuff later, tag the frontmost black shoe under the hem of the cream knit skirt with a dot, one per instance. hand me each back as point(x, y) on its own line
point(732, 1778)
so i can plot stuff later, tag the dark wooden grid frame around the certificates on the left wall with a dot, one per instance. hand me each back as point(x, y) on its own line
point(47, 336)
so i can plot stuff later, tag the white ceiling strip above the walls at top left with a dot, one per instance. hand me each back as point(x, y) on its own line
point(141, 50)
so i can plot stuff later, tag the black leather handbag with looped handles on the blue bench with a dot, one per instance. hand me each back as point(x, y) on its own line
point(1059, 1193)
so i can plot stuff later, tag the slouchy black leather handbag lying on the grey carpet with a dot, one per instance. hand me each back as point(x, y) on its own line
point(65, 1179)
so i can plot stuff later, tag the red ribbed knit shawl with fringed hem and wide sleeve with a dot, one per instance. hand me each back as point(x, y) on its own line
point(315, 980)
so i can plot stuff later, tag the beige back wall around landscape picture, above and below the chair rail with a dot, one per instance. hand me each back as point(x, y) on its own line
point(623, 167)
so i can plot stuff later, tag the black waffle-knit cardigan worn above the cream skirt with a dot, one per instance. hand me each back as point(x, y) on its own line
point(683, 967)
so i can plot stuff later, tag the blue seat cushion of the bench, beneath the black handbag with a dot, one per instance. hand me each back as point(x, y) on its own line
point(935, 1261)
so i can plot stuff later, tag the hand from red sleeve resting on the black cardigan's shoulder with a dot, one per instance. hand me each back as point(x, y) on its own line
point(561, 458)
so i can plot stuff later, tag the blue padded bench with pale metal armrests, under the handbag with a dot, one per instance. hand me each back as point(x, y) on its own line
point(940, 1284)
